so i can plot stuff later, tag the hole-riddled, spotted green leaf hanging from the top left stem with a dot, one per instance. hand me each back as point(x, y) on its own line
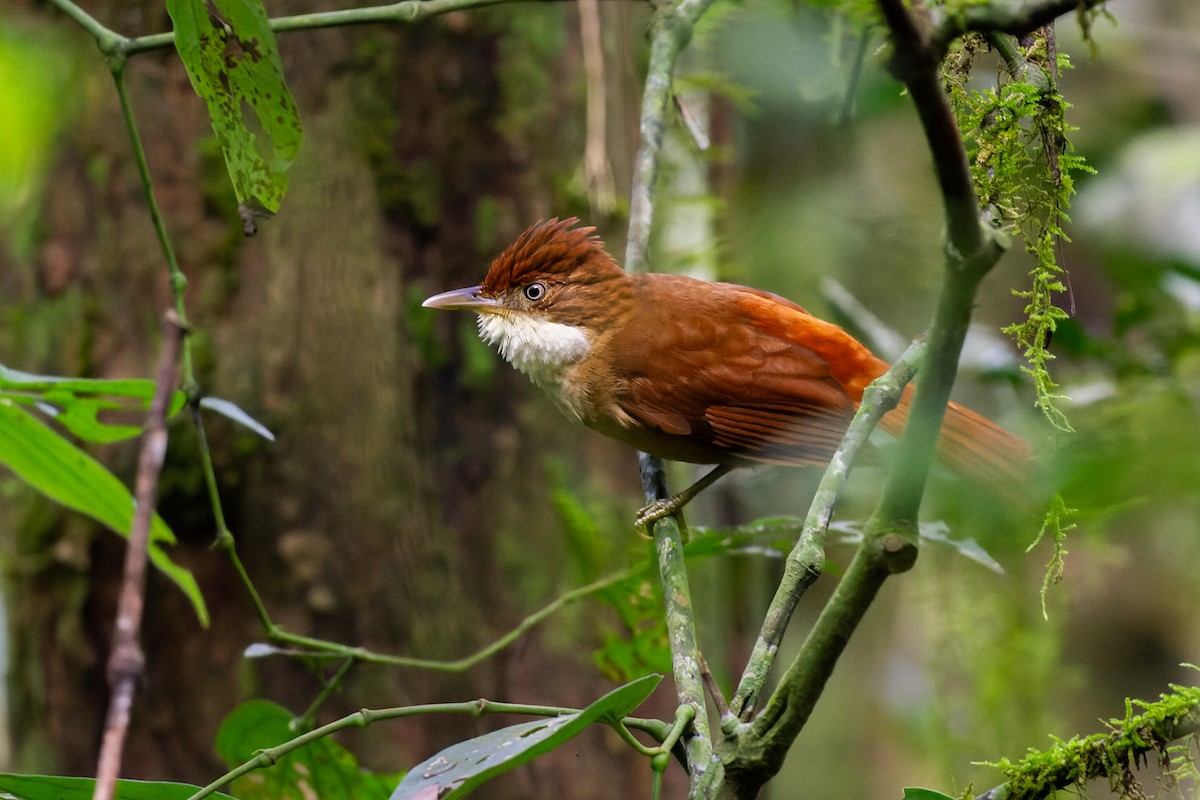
point(230, 52)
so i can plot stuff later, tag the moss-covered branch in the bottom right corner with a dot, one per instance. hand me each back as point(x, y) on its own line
point(1112, 755)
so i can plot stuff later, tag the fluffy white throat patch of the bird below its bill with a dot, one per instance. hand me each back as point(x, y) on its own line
point(537, 347)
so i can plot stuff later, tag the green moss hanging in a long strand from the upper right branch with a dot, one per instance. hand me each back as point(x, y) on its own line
point(1024, 169)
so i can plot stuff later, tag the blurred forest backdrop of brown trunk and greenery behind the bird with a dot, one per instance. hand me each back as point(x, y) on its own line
point(422, 498)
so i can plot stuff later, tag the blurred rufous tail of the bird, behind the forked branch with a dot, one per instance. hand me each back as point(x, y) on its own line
point(975, 448)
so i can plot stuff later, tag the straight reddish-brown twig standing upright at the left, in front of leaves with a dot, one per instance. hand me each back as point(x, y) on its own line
point(127, 661)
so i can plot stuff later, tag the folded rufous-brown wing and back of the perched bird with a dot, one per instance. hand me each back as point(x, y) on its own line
point(733, 378)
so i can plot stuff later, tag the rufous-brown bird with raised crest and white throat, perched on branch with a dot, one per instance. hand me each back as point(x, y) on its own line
point(695, 371)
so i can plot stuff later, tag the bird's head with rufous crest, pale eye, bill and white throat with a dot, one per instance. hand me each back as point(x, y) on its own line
point(545, 299)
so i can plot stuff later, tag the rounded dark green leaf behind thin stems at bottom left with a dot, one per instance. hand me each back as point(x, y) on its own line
point(321, 769)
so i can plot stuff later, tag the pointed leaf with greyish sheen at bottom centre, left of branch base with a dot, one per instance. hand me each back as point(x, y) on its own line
point(460, 768)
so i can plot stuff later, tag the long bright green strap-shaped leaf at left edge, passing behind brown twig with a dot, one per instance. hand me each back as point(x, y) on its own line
point(70, 477)
